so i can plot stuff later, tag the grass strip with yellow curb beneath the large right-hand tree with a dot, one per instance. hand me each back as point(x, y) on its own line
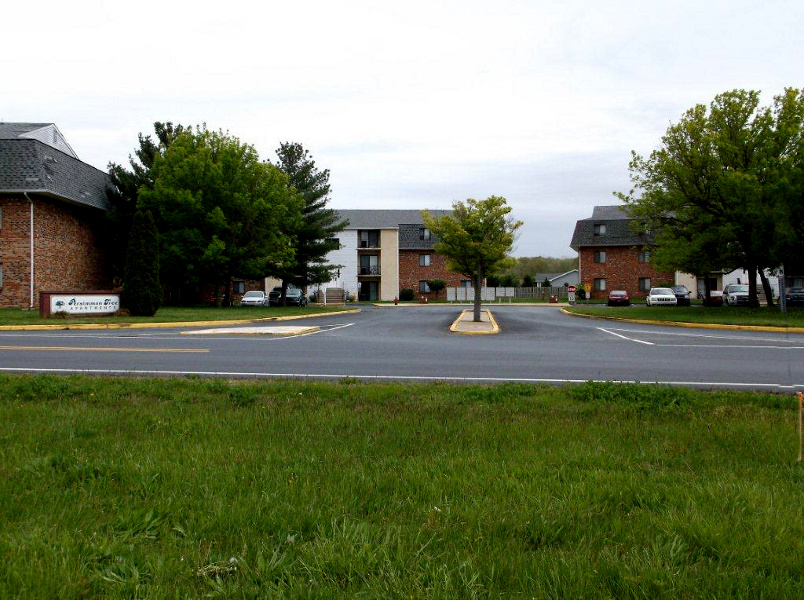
point(728, 315)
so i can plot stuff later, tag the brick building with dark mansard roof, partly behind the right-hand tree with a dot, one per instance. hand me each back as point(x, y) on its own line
point(613, 256)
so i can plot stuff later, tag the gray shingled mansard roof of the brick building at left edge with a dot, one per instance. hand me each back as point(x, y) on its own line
point(30, 165)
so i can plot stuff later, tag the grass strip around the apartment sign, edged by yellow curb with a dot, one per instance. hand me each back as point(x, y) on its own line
point(166, 314)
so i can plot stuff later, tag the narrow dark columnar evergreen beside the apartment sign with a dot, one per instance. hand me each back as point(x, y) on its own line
point(142, 292)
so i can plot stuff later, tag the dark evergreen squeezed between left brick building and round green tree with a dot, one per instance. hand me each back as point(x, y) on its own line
point(124, 191)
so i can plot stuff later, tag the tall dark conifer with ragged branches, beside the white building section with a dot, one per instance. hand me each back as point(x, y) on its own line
point(319, 225)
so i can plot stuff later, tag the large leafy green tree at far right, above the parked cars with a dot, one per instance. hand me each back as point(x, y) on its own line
point(712, 194)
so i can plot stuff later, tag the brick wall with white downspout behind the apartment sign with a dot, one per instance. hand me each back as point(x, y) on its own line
point(67, 249)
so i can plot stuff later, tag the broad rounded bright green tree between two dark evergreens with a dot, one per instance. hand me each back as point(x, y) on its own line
point(220, 211)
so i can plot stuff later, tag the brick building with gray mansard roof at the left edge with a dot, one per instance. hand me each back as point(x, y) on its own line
point(52, 209)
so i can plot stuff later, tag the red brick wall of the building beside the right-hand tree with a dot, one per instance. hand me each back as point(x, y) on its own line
point(622, 270)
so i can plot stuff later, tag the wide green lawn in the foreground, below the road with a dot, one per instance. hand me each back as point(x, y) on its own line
point(188, 487)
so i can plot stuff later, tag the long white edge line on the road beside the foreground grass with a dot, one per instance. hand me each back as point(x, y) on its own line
point(256, 374)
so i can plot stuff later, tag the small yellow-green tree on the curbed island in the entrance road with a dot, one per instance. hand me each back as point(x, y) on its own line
point(476, 239)
